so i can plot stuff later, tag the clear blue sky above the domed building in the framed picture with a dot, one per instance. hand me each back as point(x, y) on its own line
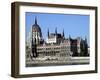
point(73, 25)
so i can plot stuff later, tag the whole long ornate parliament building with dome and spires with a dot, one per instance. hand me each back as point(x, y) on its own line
point(56, 45)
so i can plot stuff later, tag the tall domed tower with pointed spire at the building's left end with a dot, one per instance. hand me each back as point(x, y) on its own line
point(36, 38)
